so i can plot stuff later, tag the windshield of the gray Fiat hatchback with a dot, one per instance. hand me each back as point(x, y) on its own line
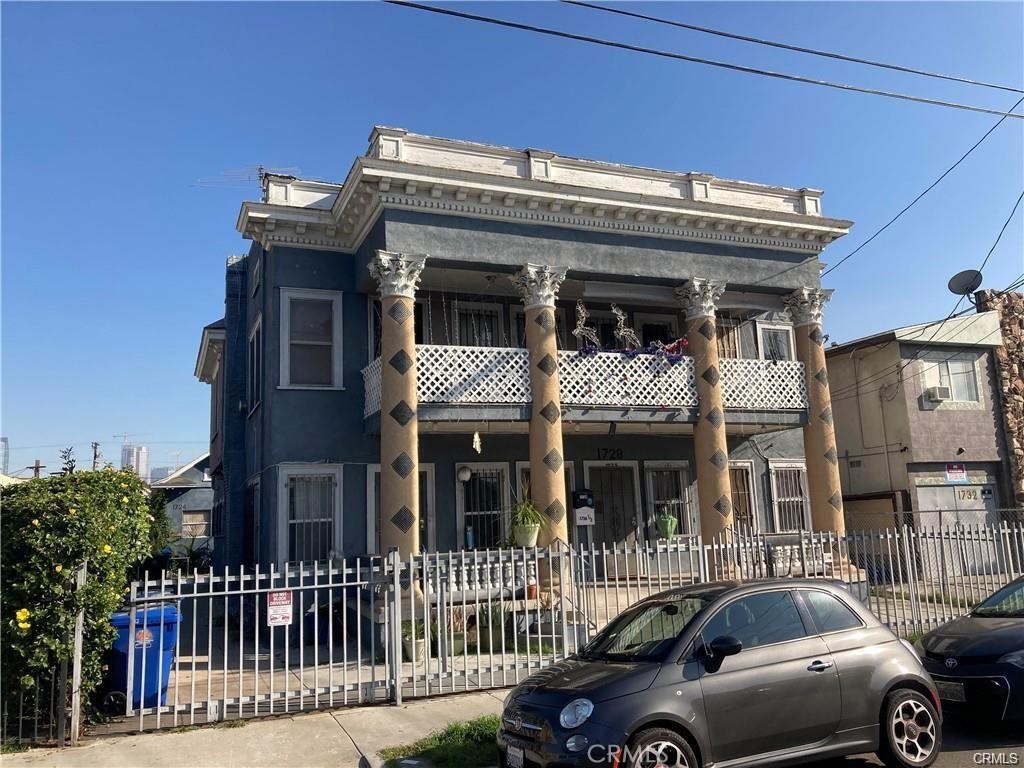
point(648, 631)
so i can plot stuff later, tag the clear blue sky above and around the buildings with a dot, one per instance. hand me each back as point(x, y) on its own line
point(114, 255)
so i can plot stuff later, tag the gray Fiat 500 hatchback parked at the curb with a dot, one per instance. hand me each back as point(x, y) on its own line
point(730, 674)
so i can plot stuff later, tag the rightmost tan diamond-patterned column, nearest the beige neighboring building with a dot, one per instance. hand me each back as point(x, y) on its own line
point(806, 307)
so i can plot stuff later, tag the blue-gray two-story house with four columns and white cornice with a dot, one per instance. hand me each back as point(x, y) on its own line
point(456, 325)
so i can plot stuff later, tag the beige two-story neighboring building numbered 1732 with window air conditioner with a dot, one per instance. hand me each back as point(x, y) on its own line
point(919, 425)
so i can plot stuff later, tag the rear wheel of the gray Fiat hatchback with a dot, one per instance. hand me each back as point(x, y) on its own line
point(912, 734)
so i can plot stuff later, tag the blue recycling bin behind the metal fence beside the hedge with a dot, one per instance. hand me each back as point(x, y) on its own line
point(155, 637)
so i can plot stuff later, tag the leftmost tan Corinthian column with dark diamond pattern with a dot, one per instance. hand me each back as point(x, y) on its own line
point(399, 516)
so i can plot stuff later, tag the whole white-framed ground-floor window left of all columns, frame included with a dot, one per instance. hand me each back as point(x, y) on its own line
point(312, 497)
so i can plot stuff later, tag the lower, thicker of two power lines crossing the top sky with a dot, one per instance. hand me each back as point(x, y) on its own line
point(695, 60)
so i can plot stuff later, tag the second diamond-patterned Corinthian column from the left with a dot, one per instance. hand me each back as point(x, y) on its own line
point(539, 285)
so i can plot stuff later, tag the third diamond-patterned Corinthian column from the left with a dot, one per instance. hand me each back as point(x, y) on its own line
point(699, 298)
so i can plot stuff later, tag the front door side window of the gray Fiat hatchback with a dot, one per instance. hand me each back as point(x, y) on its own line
point(759, 620)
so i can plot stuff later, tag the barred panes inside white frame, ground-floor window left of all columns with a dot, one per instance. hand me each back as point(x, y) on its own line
point(311, 517)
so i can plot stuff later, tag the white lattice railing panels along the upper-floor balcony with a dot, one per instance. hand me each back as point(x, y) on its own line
point(499, 376)
